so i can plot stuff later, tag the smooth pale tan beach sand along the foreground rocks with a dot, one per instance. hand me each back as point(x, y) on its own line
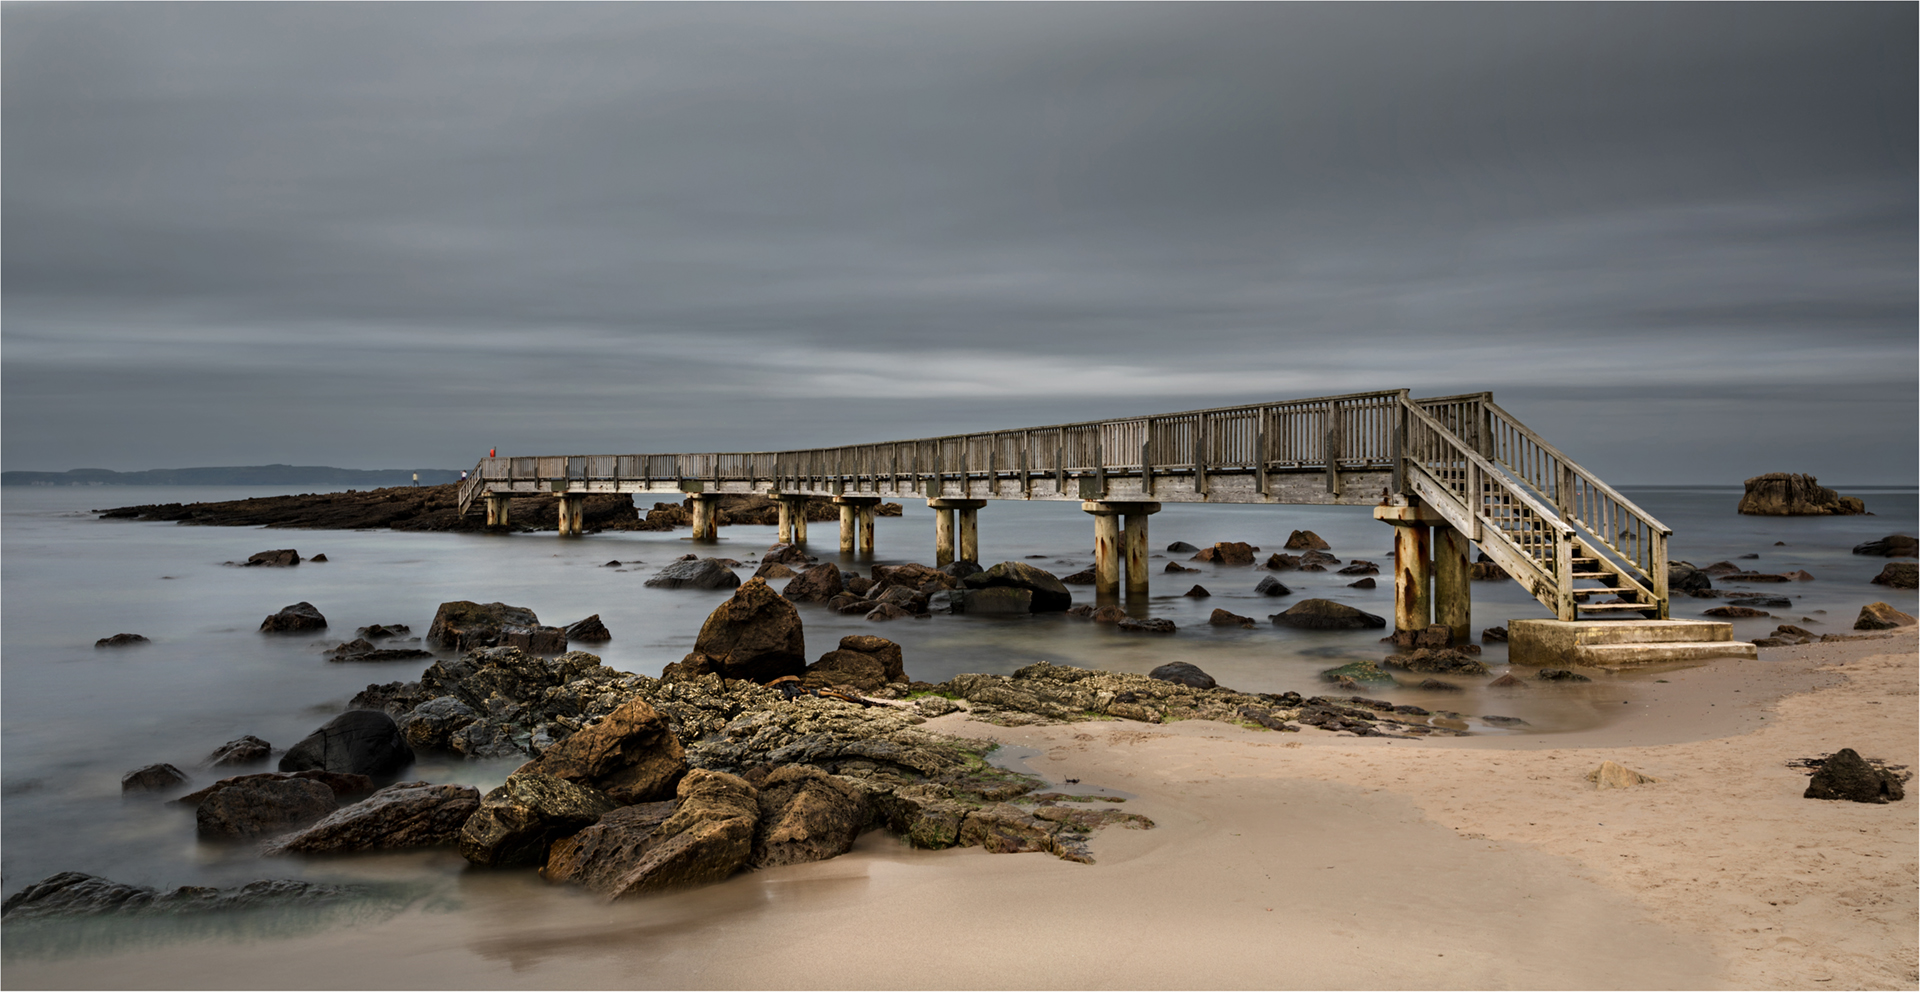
point(1305, 861)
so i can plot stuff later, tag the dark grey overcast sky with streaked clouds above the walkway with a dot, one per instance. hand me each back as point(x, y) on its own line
point(1679, 241)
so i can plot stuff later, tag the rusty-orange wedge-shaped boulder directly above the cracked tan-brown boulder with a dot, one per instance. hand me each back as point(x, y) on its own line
point(631, 757)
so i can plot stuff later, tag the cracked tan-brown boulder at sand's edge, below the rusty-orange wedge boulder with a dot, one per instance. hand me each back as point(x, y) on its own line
point(635, 851)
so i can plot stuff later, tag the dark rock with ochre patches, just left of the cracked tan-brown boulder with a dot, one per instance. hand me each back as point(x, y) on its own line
point(517, 822)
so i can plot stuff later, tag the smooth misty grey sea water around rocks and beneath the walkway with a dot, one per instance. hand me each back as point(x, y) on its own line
point(76, 719)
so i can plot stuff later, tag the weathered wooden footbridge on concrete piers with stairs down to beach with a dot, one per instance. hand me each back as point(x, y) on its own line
point(1454, 469)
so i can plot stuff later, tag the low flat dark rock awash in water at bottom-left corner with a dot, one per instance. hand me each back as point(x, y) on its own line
point(80, 895)
